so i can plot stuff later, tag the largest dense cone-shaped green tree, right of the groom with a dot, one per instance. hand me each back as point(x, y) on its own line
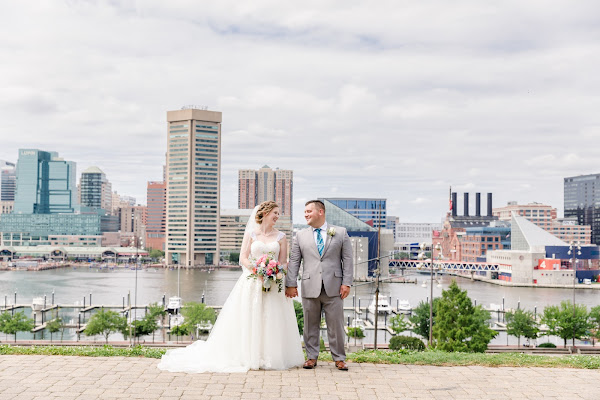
point(459, 326)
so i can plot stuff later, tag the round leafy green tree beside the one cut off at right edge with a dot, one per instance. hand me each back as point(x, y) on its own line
point(567, 322)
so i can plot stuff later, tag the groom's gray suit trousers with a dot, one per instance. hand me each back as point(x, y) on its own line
point(334, 317)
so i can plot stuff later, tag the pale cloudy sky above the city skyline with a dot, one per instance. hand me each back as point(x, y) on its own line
point(392, 99)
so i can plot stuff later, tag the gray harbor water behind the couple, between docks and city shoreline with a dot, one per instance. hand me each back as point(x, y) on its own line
point(112, 287)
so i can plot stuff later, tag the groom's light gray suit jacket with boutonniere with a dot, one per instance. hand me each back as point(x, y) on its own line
point(331, 270)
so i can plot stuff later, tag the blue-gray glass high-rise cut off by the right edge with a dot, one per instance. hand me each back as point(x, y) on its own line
point(582, 201)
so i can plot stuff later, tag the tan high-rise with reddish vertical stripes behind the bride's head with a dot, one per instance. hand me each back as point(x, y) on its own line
point(256, 186)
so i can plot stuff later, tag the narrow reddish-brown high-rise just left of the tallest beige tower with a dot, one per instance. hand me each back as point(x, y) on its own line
point(157, 212)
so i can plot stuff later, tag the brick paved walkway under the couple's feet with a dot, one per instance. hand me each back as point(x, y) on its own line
point(44, 377)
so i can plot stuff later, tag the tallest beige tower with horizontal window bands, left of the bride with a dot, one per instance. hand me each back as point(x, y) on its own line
point(193, 189)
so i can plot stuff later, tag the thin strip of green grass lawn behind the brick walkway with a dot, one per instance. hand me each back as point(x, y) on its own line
point(433, 357)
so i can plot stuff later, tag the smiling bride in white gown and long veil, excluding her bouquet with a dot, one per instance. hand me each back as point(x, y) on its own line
point(255, 329)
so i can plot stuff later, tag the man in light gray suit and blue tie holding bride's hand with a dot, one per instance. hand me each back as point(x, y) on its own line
point(326, 278)
